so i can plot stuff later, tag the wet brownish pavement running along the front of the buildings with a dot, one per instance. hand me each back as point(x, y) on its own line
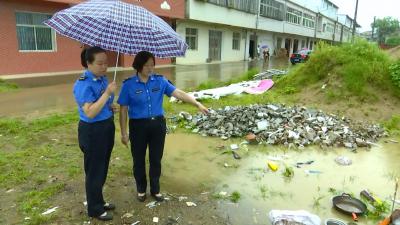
point(51, 93)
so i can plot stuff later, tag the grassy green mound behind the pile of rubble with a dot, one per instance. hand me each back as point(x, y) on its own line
point(360, 70)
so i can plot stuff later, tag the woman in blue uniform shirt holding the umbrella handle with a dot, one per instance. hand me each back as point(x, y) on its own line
point(96, 130)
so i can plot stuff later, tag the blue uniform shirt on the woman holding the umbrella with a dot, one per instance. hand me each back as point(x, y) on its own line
point(88, 89)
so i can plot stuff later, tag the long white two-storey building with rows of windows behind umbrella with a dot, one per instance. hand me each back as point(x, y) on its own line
point(235, 30)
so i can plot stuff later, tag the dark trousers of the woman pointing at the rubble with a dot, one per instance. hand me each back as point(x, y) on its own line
point(142, 133)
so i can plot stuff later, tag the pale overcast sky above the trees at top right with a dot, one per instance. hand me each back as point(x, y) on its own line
point(367, 9)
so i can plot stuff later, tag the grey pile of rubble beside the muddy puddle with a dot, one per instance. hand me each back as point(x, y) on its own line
point(278, 124)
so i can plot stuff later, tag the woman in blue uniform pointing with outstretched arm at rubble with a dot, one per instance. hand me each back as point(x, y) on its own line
point(141, 98)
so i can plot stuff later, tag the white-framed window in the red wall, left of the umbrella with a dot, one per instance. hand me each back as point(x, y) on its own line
point(32, 34)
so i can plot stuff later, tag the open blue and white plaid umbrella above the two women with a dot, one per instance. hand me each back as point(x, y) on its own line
point(117, 26)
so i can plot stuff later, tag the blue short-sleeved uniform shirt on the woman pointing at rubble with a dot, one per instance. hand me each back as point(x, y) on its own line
point(144, 100)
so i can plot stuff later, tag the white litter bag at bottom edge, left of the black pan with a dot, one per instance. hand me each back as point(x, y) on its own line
point(301, 216)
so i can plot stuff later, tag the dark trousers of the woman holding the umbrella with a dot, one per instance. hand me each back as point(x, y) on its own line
point(96, 140)
